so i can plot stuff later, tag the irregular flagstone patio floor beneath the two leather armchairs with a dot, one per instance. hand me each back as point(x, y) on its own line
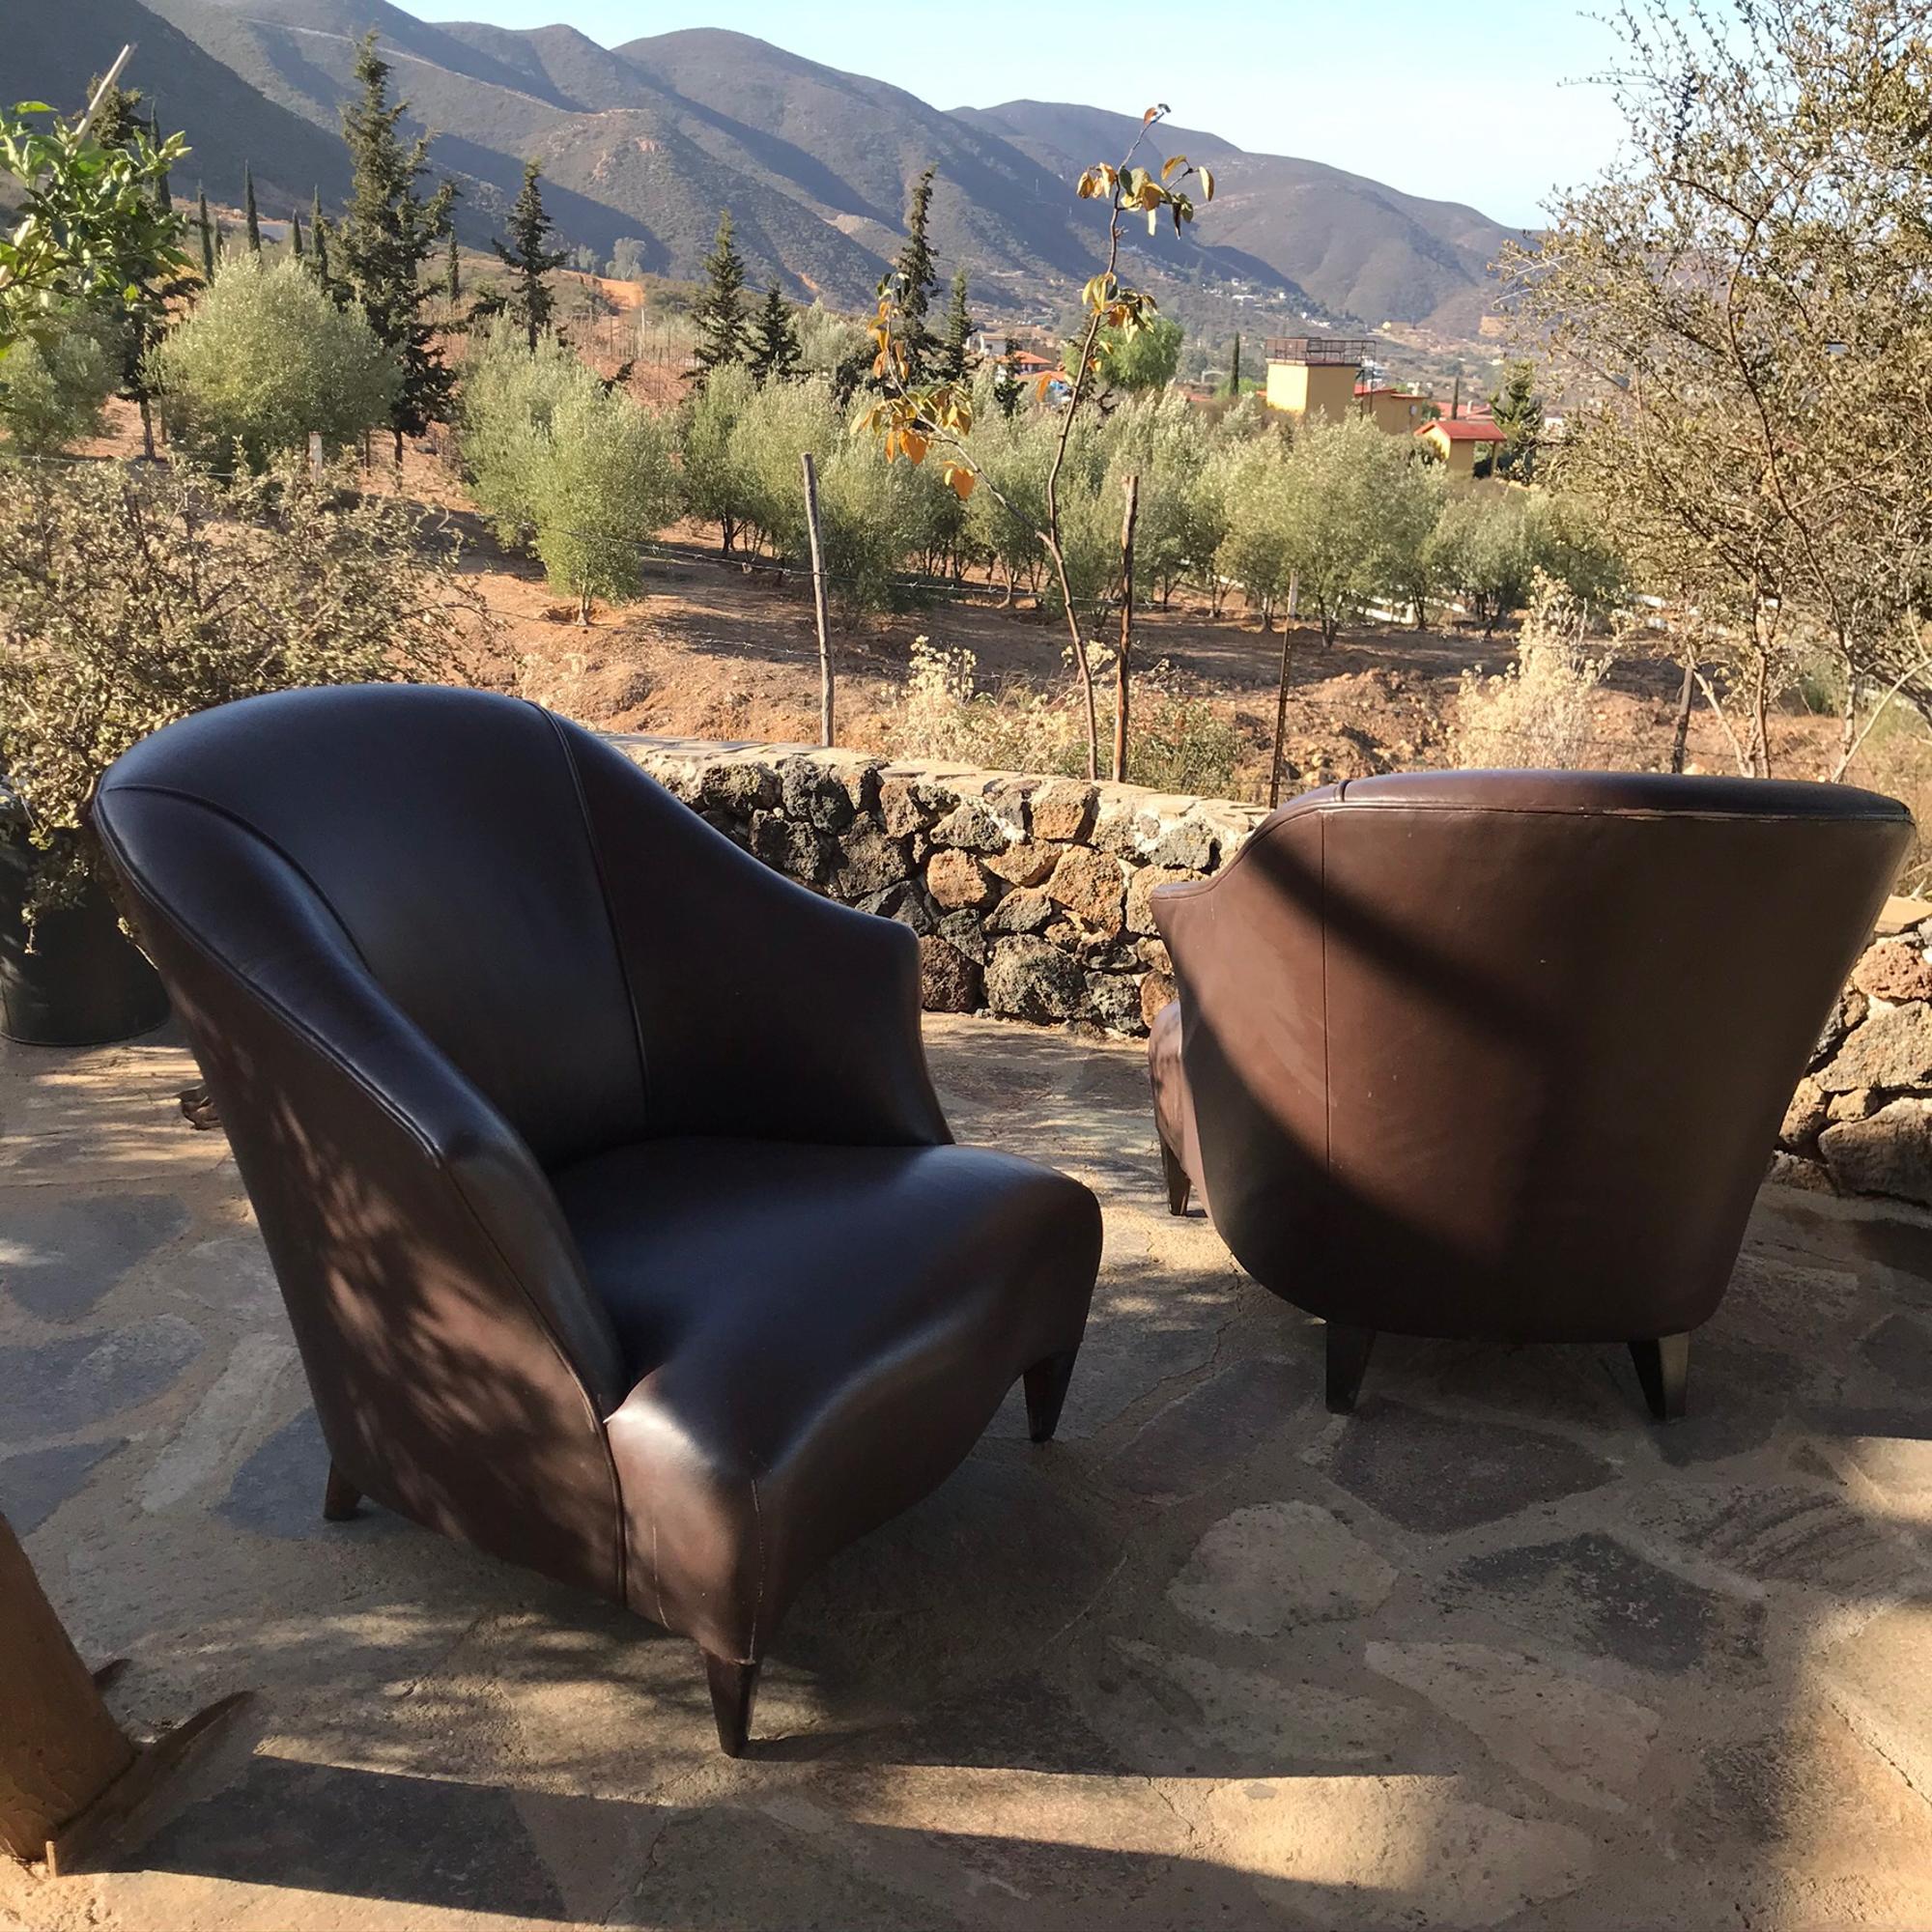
point(1494, 1653)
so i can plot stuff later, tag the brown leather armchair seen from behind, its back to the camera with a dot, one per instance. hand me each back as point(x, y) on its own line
point(1504, 1054)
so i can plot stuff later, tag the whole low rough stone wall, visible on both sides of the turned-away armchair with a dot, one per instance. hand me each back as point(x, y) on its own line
point(1031, 901)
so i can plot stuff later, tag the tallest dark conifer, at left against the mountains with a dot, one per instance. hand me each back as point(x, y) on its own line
point(385, 239)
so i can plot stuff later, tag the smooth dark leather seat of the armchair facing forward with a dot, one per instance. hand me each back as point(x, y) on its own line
point(818, 1336)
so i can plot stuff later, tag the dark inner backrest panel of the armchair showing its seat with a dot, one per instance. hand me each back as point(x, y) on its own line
point(445, 834)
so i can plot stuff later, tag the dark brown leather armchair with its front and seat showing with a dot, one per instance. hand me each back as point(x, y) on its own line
point(602, 1172)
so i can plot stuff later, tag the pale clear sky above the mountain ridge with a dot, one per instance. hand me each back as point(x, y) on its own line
point(1462, 101)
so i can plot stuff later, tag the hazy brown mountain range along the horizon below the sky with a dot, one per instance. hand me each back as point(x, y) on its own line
point(654, 138)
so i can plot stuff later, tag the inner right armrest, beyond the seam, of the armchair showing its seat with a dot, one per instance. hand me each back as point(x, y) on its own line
point(764, 1011)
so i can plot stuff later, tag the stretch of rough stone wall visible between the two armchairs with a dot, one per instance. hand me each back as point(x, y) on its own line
point(1029, 895)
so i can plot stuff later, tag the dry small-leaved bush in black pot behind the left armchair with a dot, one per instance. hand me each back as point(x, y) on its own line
point(132, 598)
